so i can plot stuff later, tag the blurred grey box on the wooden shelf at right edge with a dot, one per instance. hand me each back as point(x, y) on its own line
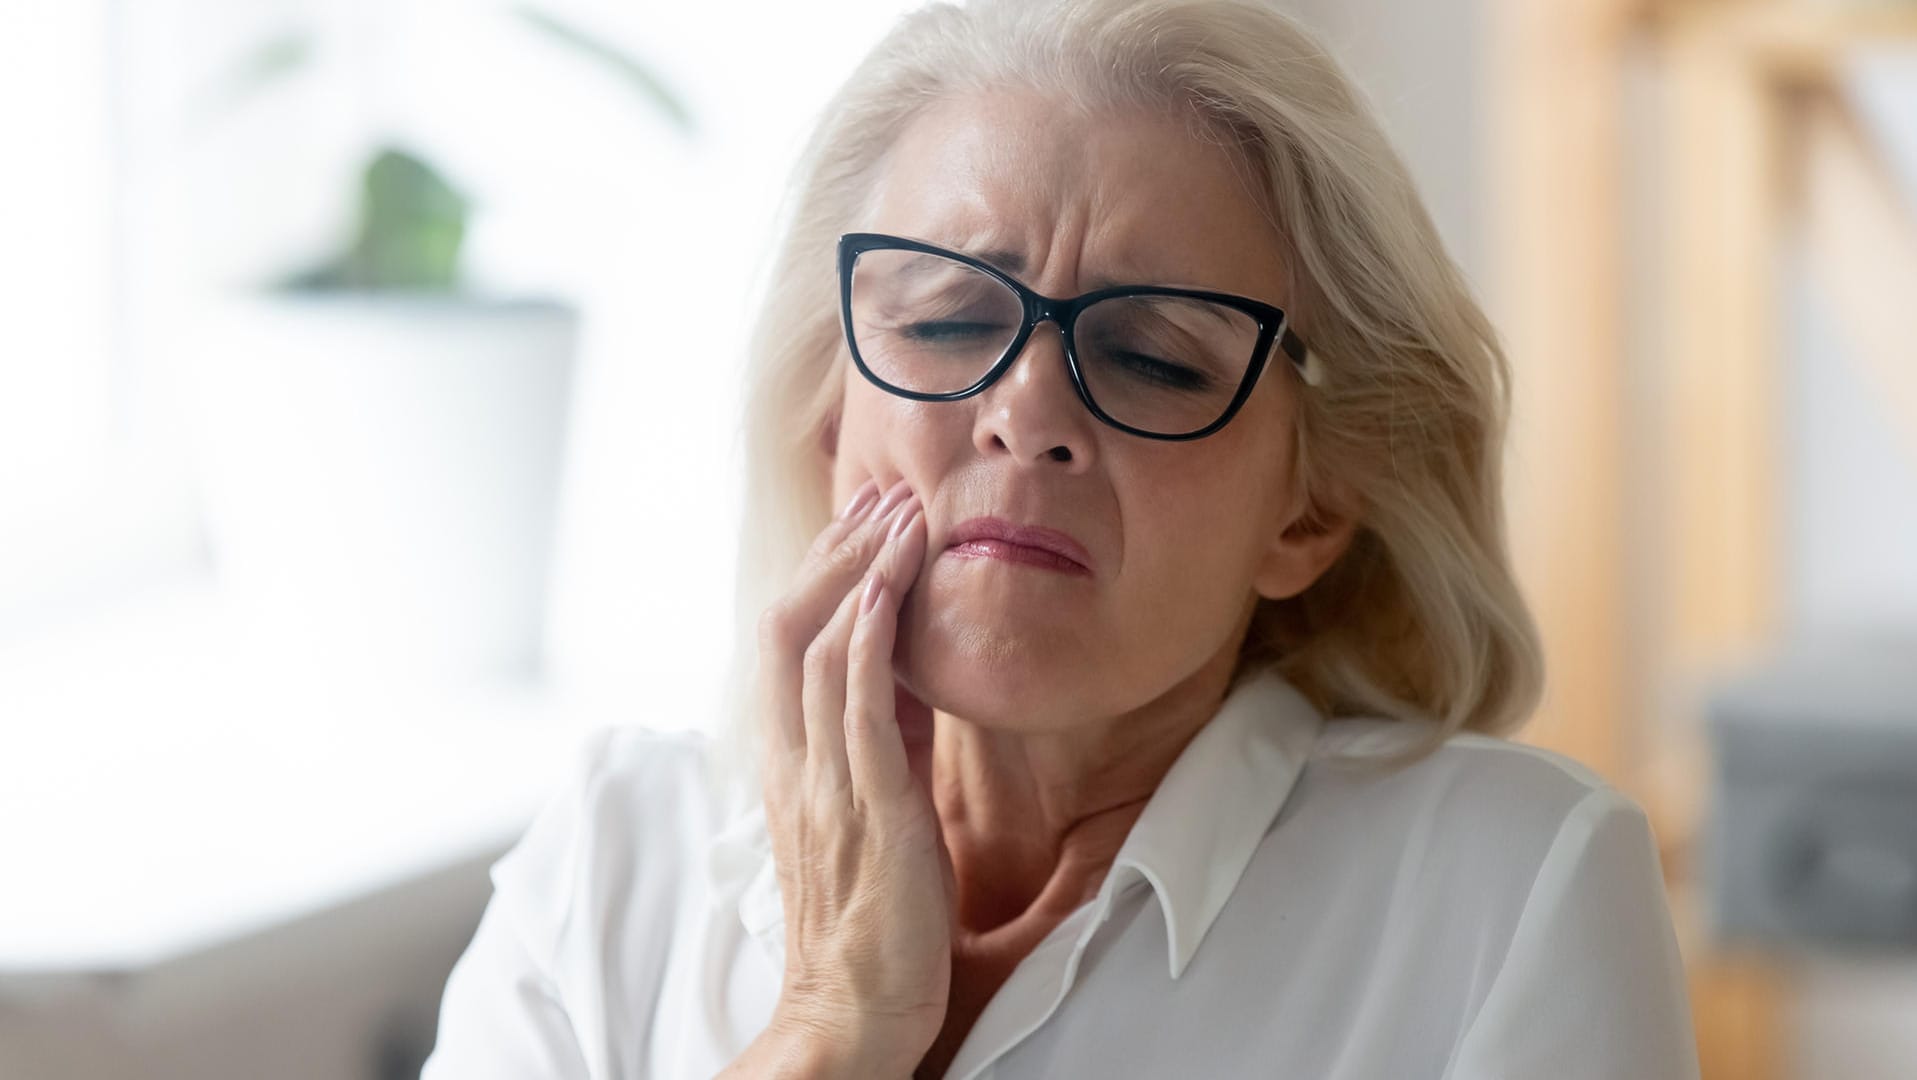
point(1813, 837)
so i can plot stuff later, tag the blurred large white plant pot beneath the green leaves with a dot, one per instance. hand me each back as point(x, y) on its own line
point(381, 477)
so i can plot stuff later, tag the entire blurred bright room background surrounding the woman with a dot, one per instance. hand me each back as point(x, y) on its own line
point(369, 398)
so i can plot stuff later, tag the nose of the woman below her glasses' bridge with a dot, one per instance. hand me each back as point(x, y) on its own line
point(1034, 411)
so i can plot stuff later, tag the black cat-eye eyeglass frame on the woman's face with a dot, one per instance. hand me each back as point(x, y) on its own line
point(1063, 312)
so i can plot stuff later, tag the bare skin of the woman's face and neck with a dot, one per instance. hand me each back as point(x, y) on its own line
point(1061, 701)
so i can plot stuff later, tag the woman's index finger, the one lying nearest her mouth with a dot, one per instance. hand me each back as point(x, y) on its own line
point(875, 751)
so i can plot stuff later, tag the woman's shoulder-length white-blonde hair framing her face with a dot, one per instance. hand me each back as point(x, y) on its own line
point(1404, 429)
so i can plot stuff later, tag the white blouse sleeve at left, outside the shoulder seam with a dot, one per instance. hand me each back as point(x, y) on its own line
point(503, 1014)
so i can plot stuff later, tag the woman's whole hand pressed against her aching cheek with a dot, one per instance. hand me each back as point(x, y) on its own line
point(864, 870)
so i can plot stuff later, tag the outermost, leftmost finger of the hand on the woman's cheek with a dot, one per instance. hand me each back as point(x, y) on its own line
point(787, 628)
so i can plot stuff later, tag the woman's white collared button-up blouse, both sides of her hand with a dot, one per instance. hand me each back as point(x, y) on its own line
point(1489, 912)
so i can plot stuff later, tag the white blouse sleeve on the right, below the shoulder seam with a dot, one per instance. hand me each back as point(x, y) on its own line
point(1592, 985)
